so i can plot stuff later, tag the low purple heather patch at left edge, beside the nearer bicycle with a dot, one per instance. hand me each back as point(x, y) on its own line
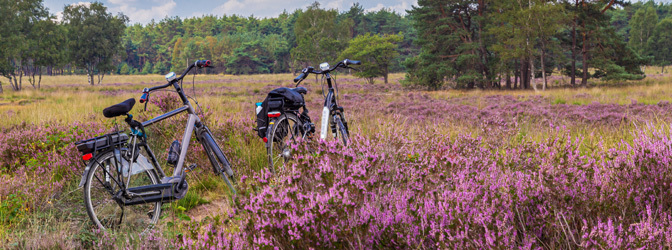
point(39, 159)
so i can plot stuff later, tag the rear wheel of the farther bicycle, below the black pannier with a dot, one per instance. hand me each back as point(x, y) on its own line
point(282, 131)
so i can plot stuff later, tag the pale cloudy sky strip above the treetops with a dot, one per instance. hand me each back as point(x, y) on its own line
point(142, 11)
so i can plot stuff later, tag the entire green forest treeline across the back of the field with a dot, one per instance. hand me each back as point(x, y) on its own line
point(465, 44)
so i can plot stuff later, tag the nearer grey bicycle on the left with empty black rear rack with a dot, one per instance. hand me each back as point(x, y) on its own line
point(124, 187)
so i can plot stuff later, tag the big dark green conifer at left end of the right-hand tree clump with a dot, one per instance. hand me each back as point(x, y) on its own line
point(450, 34)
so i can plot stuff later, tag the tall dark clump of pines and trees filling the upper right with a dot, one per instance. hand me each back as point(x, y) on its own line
point(512, 43)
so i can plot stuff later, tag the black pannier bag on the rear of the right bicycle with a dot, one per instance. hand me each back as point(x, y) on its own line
point(279, 99)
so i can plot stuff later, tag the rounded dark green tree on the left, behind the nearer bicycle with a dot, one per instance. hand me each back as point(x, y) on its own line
point(94, 37)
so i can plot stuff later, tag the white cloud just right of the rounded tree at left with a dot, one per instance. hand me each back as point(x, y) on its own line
point(142, 15)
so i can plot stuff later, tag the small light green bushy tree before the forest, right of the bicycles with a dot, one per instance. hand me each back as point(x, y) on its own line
point(376, 53)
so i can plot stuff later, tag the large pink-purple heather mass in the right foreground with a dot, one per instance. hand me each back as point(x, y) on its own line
point(437, 192)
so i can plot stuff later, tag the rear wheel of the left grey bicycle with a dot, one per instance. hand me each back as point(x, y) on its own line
point(106, 175)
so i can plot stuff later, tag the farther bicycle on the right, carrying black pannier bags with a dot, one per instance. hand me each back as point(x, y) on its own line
point(287, 125)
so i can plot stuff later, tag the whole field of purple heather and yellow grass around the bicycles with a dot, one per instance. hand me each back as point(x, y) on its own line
point(566, 168)
